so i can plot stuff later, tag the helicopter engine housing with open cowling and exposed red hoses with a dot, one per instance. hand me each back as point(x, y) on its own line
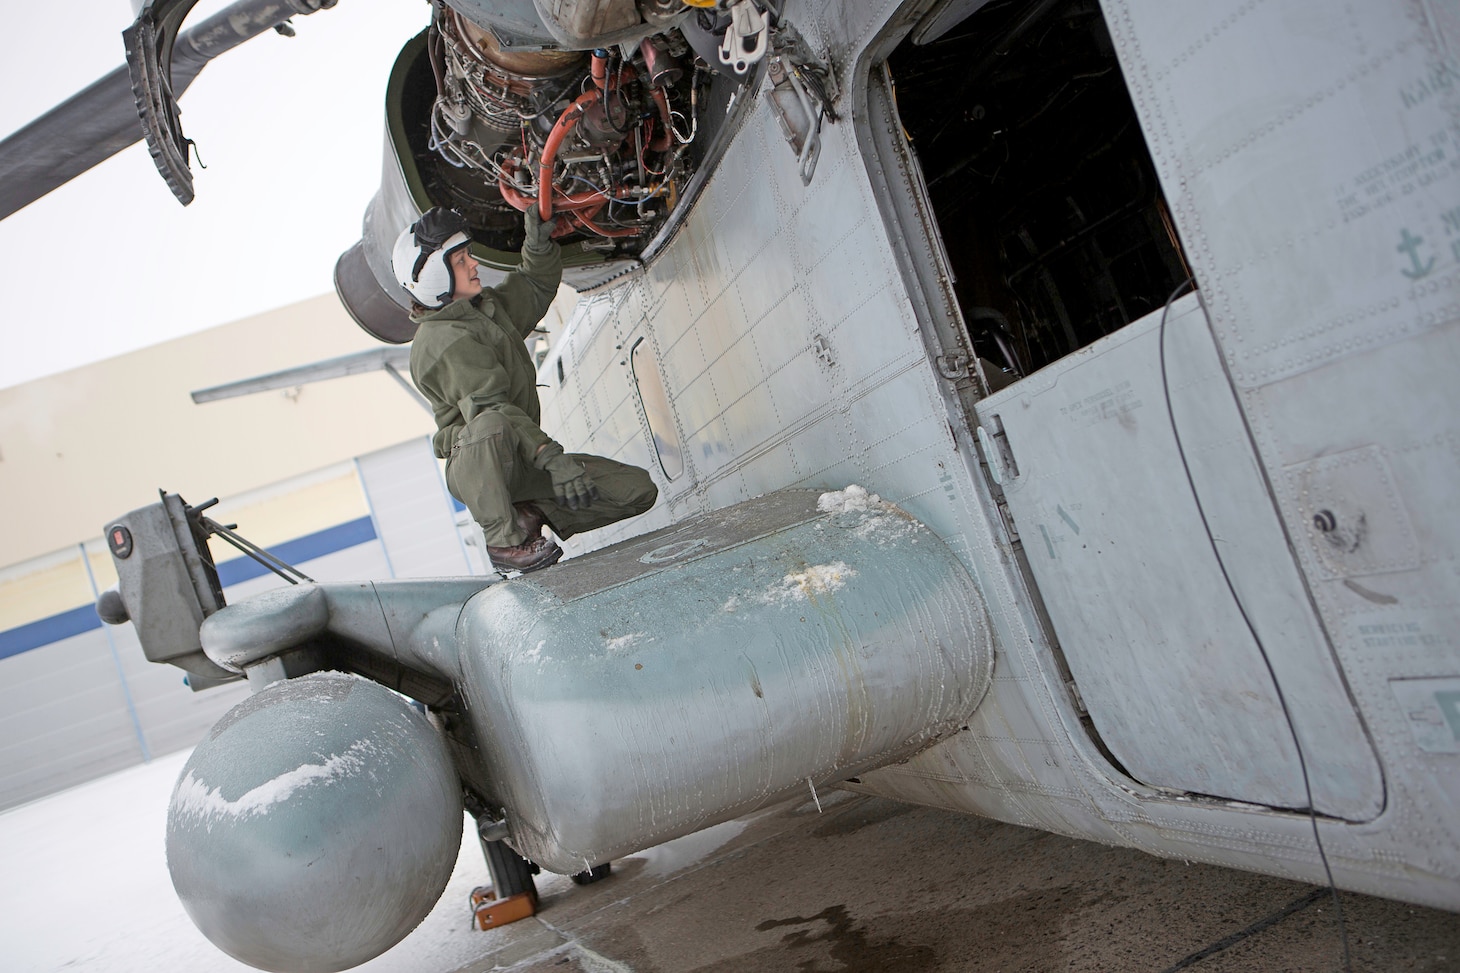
point(605, 115)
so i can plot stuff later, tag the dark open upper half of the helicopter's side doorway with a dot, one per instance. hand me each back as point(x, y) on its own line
point(1042, 183)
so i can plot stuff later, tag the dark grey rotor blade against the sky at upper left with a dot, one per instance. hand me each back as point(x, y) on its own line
point(101, 121)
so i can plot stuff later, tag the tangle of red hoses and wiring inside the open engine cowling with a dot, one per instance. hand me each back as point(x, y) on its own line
point(596, 138)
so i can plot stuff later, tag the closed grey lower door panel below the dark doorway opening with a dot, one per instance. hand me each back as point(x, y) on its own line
point(1167, 575)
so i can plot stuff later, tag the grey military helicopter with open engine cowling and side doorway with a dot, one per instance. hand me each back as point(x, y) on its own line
point(1141, 316)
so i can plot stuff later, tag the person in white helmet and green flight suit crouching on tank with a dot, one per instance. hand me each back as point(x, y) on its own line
point(471, 362)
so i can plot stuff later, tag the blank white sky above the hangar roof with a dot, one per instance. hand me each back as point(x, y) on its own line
point(293, 134)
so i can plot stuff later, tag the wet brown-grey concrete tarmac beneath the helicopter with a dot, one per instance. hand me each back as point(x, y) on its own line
point(871, 886)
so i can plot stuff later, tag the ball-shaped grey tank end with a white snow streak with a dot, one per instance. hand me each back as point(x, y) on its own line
point(316, 825)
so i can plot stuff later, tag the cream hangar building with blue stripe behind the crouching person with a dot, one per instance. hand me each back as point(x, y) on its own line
point(337, 478)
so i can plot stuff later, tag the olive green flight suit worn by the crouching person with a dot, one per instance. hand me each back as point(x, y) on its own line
point(471, 362)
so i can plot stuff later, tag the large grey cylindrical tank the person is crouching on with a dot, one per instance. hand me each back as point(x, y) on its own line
point(688, 677)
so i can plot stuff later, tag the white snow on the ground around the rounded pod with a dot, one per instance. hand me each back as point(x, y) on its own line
point(87, 889)
